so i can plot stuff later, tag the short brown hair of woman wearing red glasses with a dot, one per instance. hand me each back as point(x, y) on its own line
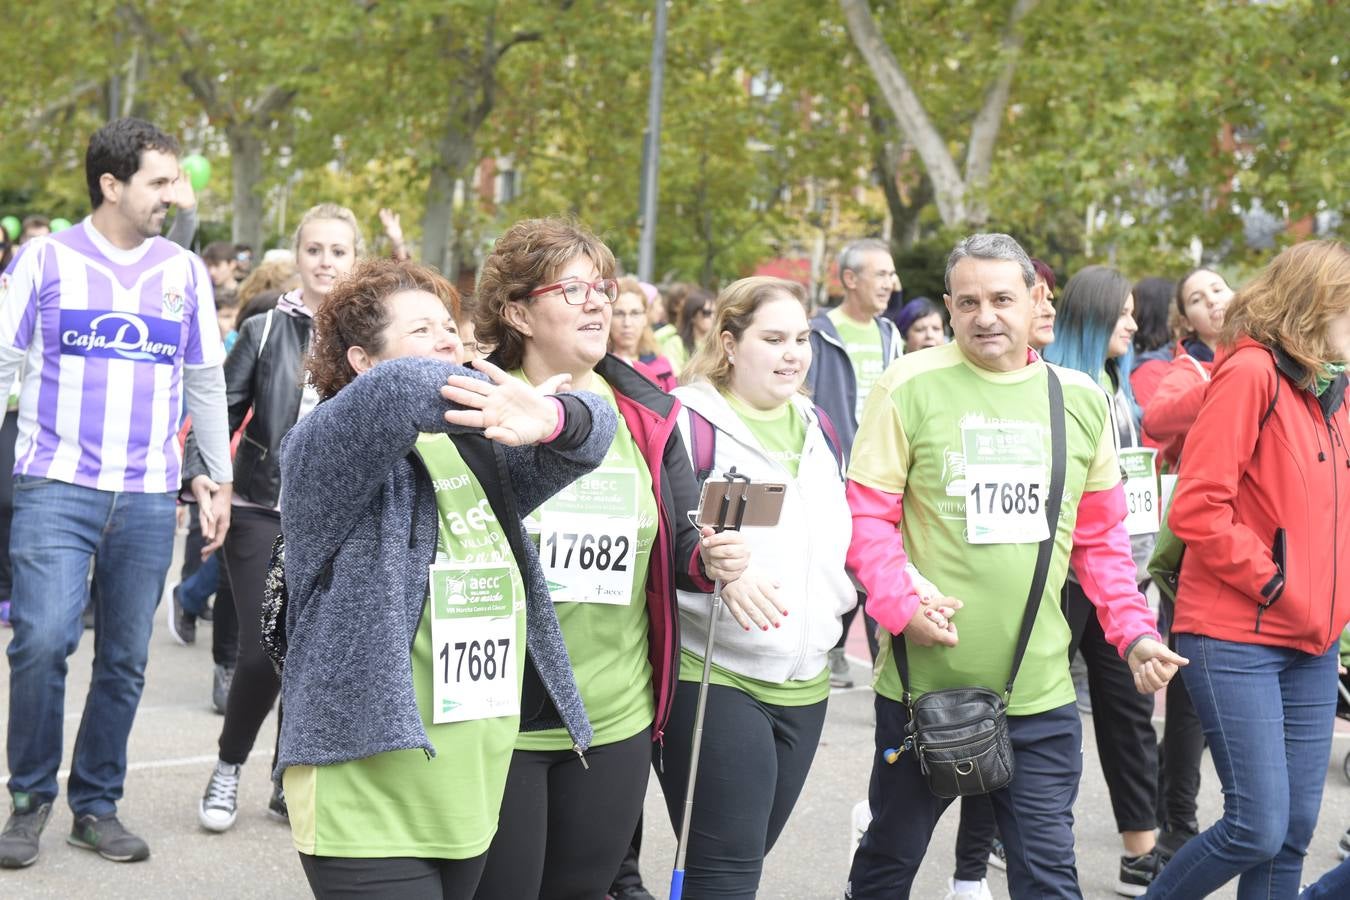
point(530, 254)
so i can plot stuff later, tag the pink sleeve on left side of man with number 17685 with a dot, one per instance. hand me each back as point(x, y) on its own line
point(877, 557)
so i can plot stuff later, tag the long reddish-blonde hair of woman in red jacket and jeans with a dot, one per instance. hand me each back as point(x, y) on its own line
point(1290, 304)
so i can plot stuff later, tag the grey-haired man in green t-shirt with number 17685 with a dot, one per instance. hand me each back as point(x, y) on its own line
point(962, 434)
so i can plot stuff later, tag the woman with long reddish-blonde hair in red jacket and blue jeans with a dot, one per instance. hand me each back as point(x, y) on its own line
point(1263, 505)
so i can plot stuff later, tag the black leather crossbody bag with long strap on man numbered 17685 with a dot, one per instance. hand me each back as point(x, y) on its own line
point(962, 735)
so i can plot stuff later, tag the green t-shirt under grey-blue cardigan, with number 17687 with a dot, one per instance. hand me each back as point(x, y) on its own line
point(403, 804)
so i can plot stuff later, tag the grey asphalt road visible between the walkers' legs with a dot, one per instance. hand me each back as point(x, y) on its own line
point(173, 748)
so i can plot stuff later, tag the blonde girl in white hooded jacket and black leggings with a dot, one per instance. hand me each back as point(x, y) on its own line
point(770, 683)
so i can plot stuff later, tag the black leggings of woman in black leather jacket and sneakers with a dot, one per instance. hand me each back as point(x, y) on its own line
point(256, 683)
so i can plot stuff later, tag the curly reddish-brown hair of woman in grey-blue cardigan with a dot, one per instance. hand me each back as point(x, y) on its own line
point(356, 315)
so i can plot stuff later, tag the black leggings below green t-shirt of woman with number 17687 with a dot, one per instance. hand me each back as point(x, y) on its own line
point(394, 878)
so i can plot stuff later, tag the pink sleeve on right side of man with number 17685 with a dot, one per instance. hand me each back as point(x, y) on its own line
point(1102, 561)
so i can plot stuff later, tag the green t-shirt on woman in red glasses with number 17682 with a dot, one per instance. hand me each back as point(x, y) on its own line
point(607, 643)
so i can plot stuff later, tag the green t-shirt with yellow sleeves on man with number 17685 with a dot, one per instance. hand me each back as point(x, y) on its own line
point(915, 441)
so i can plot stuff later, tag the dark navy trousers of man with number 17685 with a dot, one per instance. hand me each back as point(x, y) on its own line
point(1035, 813)
